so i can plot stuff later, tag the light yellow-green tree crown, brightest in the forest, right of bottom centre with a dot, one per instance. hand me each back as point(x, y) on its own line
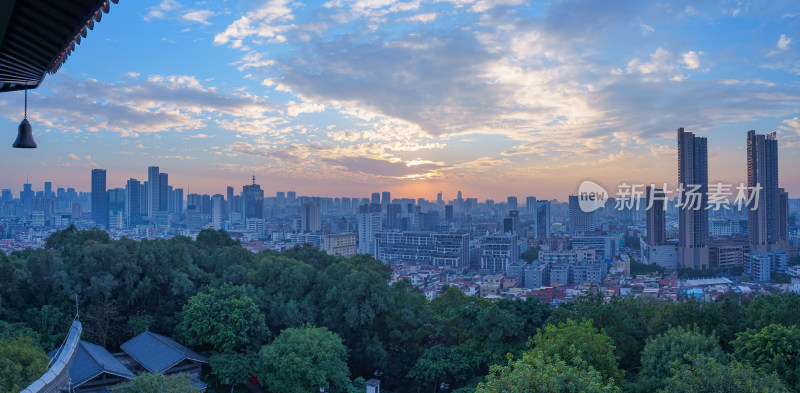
point(579, 340)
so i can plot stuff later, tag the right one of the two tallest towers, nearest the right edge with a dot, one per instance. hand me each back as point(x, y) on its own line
point(767, 223)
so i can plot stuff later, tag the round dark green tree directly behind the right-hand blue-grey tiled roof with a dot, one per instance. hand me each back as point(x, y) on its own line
point(223, 319)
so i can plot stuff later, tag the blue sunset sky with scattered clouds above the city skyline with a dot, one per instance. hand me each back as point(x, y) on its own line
point(348, 97)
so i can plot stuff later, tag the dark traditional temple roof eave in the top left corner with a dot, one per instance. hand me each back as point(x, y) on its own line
point(37, 36)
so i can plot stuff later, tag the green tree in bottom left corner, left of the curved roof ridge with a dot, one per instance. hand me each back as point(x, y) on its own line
point(21, 362)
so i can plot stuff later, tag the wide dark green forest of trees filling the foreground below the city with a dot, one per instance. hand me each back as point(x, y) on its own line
point(302, 319)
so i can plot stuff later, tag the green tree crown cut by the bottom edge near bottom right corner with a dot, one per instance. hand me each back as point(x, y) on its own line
point(706, 375)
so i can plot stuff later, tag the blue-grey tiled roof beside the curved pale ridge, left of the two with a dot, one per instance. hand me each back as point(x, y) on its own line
point(93, 360)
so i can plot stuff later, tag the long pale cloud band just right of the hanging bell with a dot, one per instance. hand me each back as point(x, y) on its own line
point(156, 104)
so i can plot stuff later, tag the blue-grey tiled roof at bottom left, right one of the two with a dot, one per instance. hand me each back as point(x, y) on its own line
point(157, 353)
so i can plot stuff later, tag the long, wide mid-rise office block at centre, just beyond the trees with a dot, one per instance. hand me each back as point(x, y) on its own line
point(423, 248)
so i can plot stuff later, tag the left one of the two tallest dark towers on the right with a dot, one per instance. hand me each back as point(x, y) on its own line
point(693, 213)
